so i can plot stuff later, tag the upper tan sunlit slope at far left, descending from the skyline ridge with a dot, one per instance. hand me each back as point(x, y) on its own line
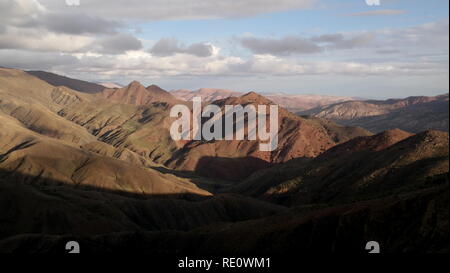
point(38, 105)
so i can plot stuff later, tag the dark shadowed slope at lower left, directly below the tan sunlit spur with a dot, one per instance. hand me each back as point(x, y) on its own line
point(53, 207)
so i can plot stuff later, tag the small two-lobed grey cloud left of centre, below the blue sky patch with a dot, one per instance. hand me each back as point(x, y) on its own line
point(170, 46)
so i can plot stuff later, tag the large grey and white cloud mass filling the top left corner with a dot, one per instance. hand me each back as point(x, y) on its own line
point(27, 24)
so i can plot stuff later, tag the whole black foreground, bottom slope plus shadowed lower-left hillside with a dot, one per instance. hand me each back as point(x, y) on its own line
point(414, 222)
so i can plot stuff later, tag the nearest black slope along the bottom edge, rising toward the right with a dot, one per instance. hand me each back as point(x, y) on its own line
point(416, 222)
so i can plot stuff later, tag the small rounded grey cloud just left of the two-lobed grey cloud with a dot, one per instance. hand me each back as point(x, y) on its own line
point(118, 44)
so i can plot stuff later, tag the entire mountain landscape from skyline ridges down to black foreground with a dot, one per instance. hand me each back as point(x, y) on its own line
point(100, 167)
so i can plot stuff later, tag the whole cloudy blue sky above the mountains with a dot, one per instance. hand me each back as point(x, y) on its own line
point(398, 48)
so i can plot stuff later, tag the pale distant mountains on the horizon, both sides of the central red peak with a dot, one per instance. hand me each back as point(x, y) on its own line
point(413, 114)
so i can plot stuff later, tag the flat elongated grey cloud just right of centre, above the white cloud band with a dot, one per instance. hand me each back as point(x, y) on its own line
point(284, 46)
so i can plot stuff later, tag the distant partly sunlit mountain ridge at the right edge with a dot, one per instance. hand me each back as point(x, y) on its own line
point(412, 114)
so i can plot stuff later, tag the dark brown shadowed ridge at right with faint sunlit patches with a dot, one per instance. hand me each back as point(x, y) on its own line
point(366, 167)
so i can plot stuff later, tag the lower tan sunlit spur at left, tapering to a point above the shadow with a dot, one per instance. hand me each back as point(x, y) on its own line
point(26, 156)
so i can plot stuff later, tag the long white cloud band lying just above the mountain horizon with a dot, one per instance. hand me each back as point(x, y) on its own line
point(143, 65)
